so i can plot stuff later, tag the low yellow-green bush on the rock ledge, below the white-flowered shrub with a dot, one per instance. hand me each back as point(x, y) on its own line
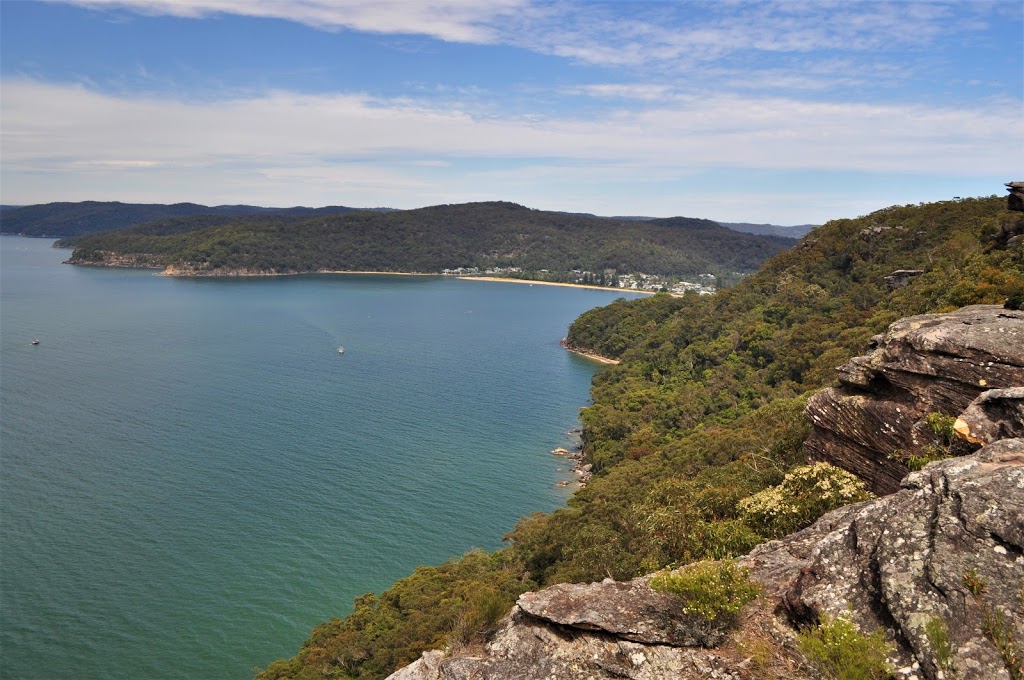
point(714, 591)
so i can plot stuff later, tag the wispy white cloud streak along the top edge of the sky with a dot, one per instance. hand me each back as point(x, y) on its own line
point(673, 36)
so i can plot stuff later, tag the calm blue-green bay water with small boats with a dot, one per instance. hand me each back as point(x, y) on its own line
point(192, 477)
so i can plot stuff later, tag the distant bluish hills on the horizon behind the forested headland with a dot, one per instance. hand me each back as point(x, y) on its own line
point(60, 221)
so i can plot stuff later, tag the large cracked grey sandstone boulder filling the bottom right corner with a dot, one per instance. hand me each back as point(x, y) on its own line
point(899, 563)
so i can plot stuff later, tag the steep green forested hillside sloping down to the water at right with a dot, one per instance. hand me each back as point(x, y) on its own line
point(705, 410)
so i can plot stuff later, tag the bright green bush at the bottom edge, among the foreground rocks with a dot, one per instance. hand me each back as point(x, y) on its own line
point(842, 653)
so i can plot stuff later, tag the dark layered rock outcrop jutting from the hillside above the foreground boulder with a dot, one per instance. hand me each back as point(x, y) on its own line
point(874, 421)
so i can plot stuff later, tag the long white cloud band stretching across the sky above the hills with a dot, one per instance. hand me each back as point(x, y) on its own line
point(716, 131)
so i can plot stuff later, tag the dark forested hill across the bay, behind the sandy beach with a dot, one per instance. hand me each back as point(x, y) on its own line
point(431, 240)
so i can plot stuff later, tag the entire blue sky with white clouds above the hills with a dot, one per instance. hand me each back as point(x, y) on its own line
point(787, 112)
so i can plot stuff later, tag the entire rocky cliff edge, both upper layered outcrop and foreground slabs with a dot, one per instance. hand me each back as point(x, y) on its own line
point(946, 550)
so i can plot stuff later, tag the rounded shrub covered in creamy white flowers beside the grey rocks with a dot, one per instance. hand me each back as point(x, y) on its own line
point(806, 494)
